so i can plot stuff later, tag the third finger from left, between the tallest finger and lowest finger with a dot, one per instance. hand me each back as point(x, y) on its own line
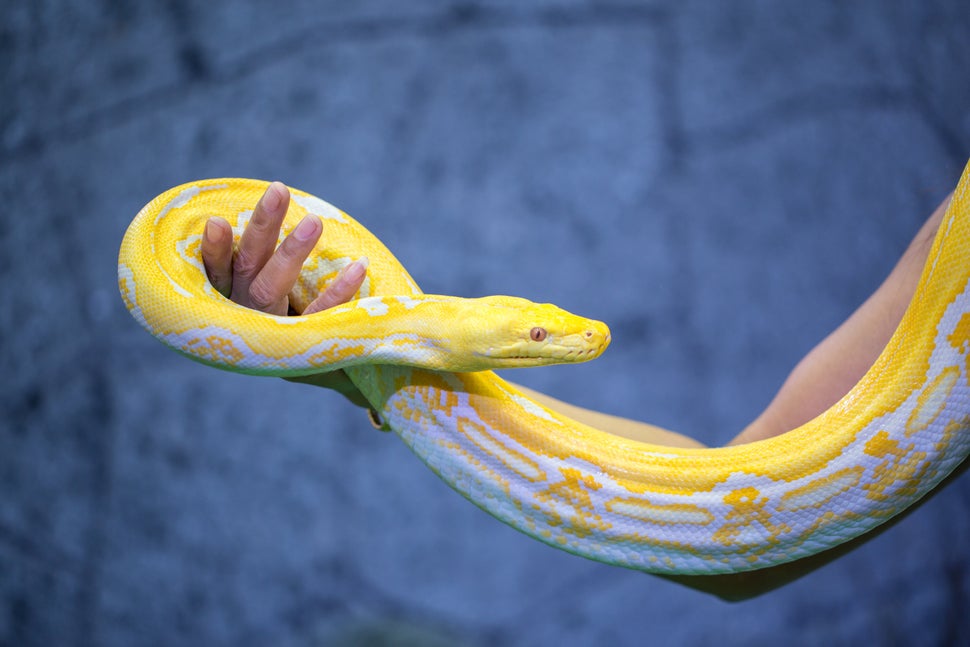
point(268, 291)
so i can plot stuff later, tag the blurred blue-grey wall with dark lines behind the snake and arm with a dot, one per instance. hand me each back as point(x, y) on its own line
point(722, 183)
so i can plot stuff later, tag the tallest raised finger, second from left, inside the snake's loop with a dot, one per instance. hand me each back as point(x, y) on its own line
point(256, 247)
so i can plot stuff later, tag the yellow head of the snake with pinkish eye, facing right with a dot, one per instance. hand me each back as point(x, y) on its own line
point(509, 332)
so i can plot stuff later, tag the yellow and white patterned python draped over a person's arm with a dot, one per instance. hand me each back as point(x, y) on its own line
point(888, 442)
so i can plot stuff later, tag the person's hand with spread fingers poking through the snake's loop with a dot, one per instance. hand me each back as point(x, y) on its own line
point(260, 275)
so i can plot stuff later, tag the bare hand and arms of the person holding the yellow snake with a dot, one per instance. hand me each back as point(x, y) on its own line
point(260, 275)
